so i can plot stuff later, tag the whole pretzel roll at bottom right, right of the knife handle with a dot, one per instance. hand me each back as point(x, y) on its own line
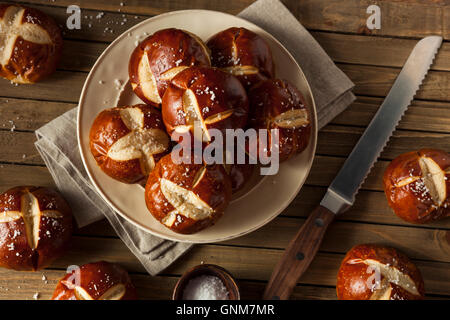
point(374, 272)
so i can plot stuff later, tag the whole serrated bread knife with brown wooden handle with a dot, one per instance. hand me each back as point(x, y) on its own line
point(341, 193)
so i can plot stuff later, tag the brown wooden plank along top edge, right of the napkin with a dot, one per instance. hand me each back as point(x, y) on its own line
point(398, 18)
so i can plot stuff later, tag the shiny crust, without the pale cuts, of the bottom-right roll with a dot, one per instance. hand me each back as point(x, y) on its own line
point(353, 277)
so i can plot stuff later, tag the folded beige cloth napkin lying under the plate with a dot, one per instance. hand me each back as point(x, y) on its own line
point(58, 146)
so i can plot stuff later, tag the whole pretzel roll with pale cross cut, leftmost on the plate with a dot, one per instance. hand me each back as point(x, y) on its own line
point(127, 141)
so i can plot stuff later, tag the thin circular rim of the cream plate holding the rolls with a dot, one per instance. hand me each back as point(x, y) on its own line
point(105, 198)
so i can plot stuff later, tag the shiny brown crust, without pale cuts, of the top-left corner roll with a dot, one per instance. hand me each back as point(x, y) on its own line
point(31, 62)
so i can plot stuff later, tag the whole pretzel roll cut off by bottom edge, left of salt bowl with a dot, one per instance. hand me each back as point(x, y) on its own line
point(96, 281)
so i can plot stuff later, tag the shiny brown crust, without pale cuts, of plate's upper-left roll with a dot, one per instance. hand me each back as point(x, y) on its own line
point(166, 49)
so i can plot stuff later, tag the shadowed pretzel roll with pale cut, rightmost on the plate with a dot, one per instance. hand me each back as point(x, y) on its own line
point(277, 104)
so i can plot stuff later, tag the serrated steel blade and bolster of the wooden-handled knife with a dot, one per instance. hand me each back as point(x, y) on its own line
point(341, 193)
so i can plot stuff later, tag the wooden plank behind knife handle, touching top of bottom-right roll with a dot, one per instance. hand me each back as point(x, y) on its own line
point(418, 243)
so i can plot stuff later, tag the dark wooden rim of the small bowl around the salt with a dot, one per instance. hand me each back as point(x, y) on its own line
point(211, 270)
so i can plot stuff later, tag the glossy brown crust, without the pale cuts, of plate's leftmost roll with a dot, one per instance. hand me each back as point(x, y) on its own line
point(108, 128)
